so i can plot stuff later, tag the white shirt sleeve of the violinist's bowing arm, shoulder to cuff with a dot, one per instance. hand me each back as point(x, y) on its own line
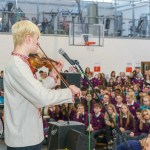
point(24, 82)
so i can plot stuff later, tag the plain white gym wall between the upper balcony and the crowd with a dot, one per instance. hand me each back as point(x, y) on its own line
point(115, 54)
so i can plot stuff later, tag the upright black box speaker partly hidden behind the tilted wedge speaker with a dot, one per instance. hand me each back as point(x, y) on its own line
point(58, 132)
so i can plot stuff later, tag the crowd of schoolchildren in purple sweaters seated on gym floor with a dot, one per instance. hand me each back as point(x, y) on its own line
point(126, 98)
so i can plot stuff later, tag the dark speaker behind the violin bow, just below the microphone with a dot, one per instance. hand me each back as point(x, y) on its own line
point(72, 79)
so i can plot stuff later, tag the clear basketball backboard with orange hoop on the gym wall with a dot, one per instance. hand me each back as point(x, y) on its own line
point(94, 36)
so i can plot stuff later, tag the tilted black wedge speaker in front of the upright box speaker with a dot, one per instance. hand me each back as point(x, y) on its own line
point(79, 141)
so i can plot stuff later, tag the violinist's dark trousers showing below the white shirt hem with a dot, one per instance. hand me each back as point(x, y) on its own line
point(34, 147)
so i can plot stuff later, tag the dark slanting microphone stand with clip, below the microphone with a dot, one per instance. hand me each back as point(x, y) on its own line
point(77, 65)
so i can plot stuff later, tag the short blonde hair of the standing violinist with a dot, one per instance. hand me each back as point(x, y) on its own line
point(23, 28)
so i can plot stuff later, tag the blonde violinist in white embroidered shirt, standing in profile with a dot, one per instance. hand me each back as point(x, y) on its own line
point(25, 95)
